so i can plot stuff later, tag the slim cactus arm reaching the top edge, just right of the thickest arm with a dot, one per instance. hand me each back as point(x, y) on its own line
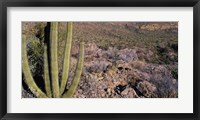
point(66, 61)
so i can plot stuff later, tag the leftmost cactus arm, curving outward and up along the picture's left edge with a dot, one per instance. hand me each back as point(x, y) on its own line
point(27, 72)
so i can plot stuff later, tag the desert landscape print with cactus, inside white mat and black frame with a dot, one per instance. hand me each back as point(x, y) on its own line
point(121, 60)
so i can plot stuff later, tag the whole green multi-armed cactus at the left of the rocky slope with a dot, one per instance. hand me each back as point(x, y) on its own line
point(52, 86)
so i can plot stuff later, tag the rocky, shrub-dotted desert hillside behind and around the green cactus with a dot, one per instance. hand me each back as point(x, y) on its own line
point(122, 60)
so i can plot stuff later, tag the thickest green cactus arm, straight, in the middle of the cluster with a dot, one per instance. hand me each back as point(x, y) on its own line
point(53, 58)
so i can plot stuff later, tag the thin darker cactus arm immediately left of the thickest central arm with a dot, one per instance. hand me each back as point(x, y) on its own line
point(46, 73)
